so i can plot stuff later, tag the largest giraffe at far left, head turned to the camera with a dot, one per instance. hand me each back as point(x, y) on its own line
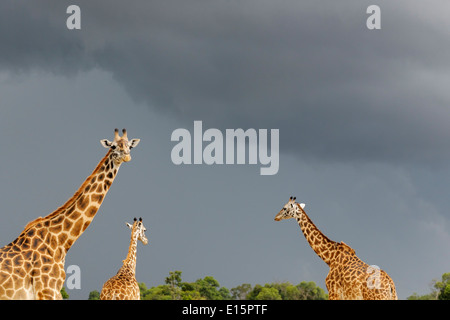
point(32, 266)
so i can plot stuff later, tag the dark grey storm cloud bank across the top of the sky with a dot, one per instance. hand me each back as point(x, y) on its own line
point(336, 90)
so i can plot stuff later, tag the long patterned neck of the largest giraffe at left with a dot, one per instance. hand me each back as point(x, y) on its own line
point(66, 224)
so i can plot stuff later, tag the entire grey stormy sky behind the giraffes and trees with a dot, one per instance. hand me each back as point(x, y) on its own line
point(363, 118)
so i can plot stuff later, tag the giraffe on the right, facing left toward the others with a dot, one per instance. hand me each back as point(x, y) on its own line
point(349, 278)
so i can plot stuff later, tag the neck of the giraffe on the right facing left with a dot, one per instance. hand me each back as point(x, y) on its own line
point(322, 246)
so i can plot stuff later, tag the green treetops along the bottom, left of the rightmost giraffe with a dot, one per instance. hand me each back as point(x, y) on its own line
point(209, 288)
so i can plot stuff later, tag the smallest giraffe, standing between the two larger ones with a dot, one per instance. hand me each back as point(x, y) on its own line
point(123, 286)
